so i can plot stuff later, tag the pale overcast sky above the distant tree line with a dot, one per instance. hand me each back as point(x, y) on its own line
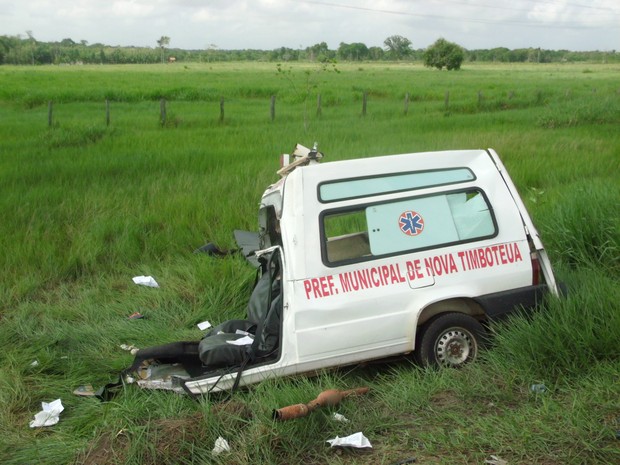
point(269, 24)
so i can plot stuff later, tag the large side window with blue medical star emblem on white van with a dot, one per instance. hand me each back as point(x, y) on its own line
point(417, 223)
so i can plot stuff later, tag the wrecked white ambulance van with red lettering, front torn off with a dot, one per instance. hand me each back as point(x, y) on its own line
point(369, 258)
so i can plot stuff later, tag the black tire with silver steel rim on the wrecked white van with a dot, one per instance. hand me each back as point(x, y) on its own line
point(449, 340)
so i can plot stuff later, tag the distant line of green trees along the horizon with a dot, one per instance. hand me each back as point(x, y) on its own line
point(20, 50)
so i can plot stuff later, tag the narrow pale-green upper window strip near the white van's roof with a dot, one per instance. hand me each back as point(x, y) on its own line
point(333, 191)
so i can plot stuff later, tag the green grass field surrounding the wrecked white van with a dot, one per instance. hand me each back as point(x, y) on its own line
point(84, 207)
